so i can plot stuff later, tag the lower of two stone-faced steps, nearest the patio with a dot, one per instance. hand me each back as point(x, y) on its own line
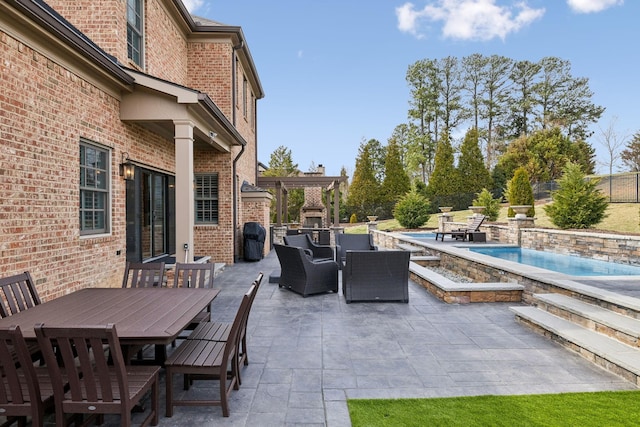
point(609, 353)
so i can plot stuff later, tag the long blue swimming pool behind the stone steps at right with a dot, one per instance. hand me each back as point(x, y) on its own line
point(567, 264)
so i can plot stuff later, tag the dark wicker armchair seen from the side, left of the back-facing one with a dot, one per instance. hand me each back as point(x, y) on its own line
point(300, 273)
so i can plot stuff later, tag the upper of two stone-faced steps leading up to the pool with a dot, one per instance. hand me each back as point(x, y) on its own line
point(600, 319)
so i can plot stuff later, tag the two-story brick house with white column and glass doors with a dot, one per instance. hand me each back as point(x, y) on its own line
point(127, 129)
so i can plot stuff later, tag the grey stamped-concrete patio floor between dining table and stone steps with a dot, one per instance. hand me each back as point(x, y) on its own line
point(309, 355)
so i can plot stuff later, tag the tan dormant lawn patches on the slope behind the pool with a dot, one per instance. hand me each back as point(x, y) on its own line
point(622, 218)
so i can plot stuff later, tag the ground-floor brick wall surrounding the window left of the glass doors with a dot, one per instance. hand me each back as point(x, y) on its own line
point(45, 110)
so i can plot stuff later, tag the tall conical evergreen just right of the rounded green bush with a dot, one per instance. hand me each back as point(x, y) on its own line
point(443, 185)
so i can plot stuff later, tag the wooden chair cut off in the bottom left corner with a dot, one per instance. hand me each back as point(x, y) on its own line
point(25, 390)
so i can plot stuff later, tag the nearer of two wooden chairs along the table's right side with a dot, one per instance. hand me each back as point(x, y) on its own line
point(207, 360)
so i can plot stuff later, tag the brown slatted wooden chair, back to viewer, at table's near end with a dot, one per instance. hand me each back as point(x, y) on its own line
point(99, 380)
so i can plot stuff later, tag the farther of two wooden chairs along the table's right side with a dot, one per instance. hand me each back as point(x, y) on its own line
point(219, 331)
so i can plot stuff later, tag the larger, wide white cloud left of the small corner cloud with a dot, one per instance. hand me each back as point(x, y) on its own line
point(468, 19)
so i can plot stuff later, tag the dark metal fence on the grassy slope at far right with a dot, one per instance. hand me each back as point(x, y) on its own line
point(620, 188)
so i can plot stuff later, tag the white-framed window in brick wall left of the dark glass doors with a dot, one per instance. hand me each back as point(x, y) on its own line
point(94, 189)
